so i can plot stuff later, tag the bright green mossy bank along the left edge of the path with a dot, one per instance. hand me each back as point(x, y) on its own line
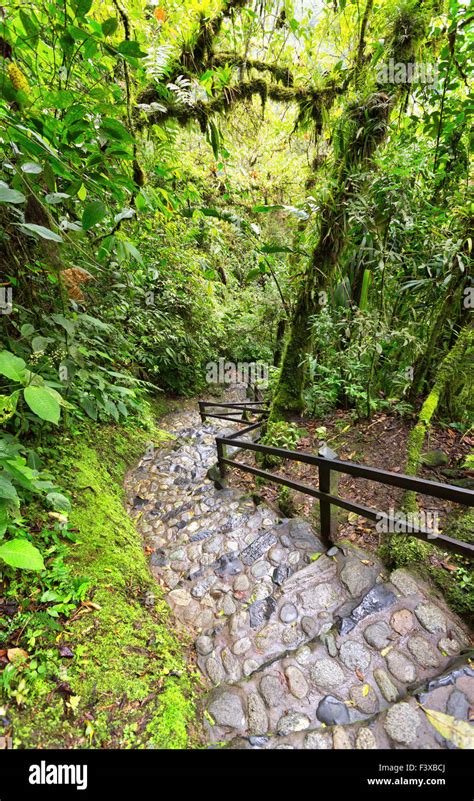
point(129, 677)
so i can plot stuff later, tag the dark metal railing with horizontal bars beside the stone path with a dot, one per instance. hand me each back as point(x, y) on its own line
point(327, 467)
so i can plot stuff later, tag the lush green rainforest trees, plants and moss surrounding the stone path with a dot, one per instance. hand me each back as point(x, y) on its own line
point(180, 183)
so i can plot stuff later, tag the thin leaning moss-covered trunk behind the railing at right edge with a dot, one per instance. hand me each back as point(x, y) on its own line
point(451, 363)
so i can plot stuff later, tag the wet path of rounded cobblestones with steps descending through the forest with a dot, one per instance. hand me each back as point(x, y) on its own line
point(301, 648)
